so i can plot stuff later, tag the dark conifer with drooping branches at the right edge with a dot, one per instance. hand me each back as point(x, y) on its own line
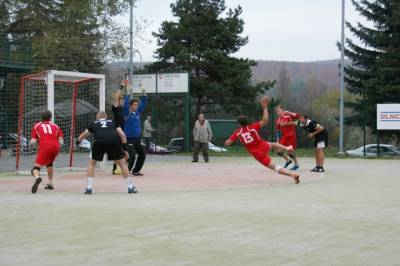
point(375, 70)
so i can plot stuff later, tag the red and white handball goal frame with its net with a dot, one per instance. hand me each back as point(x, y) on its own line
point(74, 98)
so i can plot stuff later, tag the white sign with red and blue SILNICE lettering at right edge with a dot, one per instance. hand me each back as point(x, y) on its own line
point(388, 117)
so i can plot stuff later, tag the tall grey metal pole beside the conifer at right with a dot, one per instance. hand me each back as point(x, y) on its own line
point(341, 107)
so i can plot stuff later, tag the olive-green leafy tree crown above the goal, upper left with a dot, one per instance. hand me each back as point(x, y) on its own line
point(68, 35)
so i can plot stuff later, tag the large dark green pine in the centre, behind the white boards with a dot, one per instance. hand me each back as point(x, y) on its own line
point(201, 41)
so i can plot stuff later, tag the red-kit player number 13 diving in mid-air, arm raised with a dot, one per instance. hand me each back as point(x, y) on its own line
point(249, 136)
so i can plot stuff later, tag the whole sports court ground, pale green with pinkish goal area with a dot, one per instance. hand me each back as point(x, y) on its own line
point(229, 212)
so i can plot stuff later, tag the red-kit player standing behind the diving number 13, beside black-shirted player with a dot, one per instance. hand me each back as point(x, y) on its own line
point(287, 126)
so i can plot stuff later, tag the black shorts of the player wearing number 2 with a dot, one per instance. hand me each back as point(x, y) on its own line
point(113, 148)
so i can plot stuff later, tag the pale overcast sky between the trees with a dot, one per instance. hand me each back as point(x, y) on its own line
point(283, 30)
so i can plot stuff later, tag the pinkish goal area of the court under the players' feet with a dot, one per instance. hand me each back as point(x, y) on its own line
point(178, 175)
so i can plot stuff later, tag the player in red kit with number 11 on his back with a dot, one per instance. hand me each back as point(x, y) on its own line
point(49, 137)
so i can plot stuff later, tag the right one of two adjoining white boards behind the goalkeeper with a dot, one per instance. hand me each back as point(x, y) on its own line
point(173, 83)
